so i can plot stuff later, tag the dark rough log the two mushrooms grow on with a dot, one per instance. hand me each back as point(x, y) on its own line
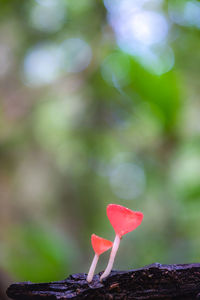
point(155, 281)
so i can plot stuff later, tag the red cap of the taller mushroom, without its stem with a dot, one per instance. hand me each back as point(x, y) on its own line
point(123, 219)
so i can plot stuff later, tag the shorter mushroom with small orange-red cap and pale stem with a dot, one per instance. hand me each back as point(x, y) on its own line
point(99, 245)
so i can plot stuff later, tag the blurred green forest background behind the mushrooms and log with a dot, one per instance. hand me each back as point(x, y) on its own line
point(99, 104)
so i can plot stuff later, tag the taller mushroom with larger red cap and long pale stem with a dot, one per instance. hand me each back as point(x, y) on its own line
point(123, 221)
